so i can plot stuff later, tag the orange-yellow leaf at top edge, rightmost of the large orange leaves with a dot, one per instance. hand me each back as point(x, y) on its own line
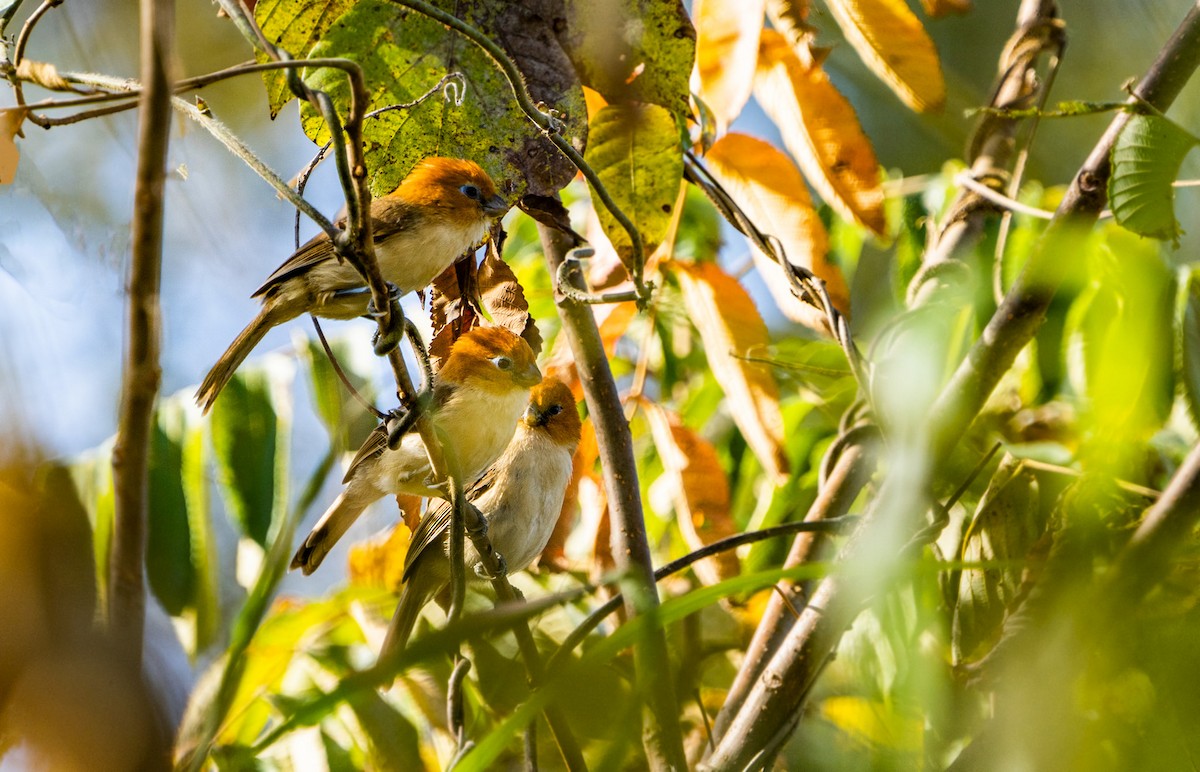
point(893, 44)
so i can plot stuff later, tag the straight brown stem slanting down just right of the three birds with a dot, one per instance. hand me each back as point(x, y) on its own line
point(661, 727)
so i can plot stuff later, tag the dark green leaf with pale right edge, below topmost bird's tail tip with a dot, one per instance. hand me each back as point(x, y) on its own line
point(250, 430)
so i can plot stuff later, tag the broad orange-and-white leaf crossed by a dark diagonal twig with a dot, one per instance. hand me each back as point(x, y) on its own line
point(769, 187)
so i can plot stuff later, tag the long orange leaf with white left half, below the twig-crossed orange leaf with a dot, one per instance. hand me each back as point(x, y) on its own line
point(730, 326)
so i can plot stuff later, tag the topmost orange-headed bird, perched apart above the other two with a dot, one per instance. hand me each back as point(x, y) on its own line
point(443, 210)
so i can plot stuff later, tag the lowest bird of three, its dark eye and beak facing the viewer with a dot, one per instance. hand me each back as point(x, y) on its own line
point(520, 498)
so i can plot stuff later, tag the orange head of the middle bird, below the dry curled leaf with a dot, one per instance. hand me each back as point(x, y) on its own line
point(493, 360)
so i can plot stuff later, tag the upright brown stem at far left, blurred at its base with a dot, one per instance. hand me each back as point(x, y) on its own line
point(143, 374)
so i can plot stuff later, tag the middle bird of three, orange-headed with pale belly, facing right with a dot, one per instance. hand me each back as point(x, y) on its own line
point(478, 397)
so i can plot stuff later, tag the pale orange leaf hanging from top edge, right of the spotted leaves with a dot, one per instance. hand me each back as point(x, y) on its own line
point(727, 53)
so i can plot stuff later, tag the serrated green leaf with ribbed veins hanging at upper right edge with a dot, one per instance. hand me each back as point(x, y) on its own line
point(1147, 160)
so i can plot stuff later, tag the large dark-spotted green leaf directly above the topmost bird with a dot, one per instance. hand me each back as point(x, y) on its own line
point(404, 55)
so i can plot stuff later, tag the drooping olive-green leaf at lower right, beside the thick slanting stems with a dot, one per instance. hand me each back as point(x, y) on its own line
point(1005, 529)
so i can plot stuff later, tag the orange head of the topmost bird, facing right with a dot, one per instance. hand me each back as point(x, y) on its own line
point(453, 188)
